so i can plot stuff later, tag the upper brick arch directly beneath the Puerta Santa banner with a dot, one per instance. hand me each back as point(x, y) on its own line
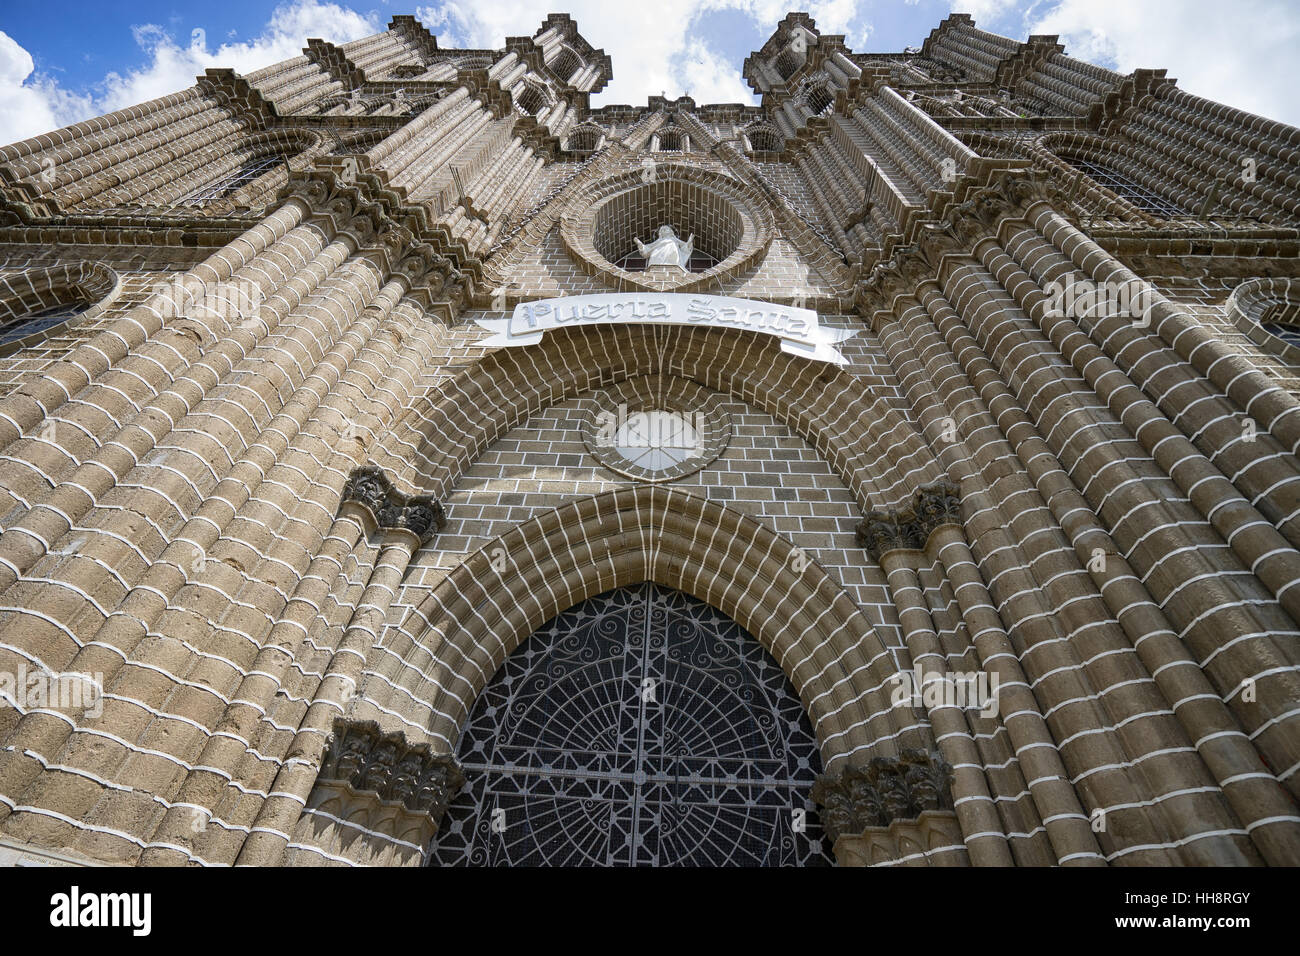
point(874, 451)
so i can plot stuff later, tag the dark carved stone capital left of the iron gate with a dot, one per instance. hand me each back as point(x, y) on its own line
point(366, 759)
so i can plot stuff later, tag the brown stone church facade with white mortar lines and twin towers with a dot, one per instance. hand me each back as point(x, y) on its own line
point(405, 462)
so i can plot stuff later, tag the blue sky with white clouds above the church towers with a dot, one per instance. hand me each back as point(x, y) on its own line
point(68, 60)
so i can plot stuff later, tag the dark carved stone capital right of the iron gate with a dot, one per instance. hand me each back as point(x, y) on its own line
point(886, 790)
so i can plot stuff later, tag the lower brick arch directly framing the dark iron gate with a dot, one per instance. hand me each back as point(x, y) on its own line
point(431, 668)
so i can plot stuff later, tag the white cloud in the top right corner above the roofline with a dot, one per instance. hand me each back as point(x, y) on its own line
point(1243, 54)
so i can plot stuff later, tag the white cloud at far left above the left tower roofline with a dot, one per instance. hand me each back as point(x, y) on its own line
point(33, 103)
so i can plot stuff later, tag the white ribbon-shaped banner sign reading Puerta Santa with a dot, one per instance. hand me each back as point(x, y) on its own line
point(798, 328)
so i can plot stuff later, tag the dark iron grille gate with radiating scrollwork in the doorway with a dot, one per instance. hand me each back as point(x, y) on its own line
point(640, 728)
